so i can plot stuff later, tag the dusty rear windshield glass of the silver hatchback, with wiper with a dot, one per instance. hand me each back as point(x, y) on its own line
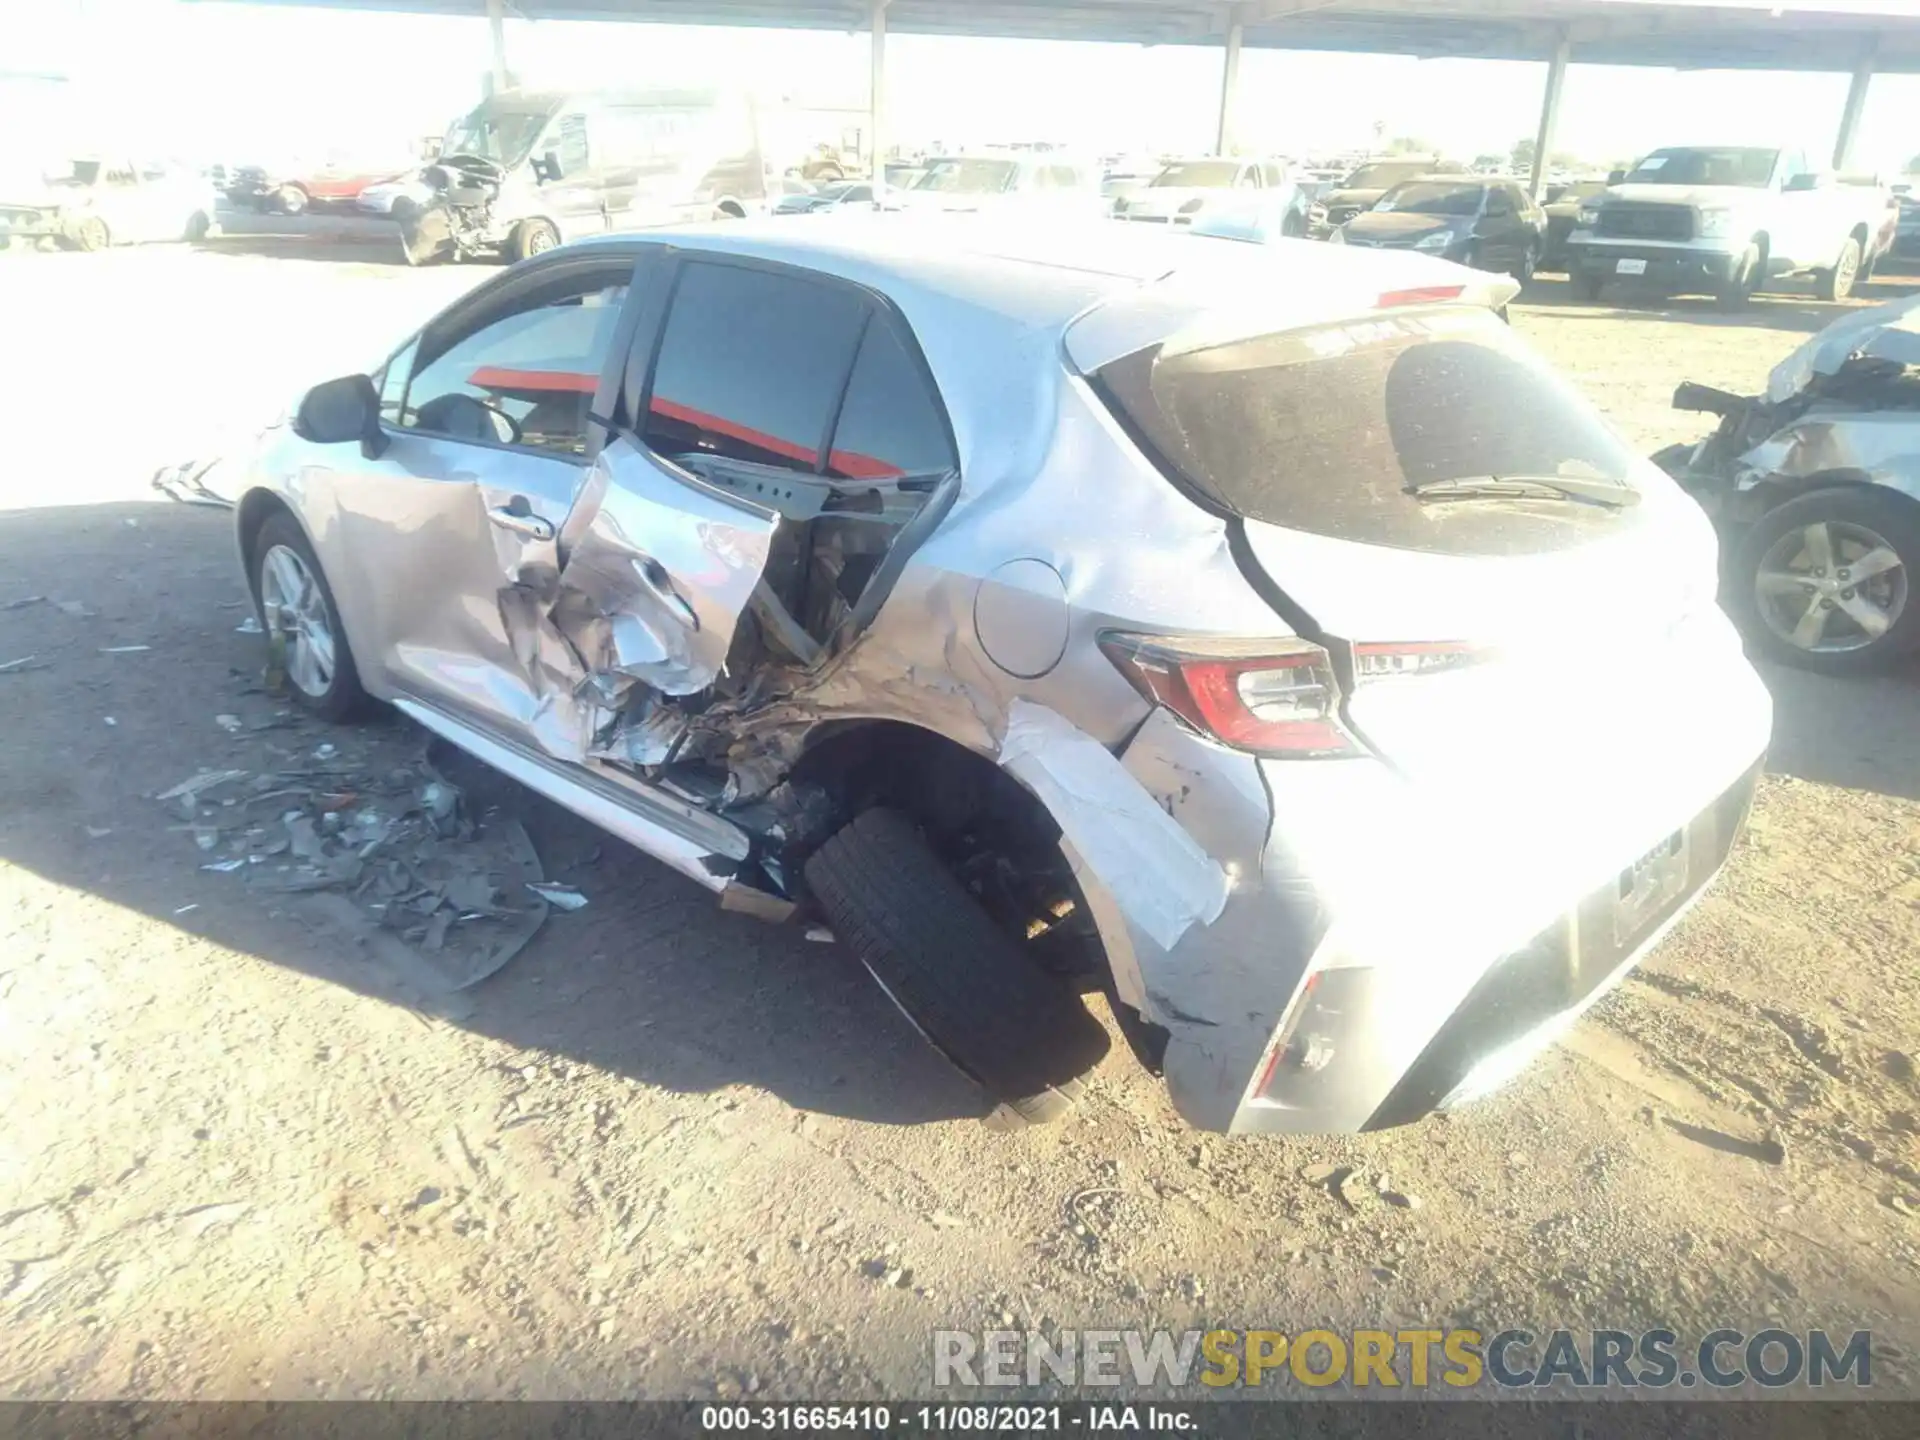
point(1332, 429)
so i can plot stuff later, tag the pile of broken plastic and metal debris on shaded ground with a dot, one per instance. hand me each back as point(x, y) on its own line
point(425, 890)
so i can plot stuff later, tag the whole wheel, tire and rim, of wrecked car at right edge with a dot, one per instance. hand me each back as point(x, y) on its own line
point(1823, 583)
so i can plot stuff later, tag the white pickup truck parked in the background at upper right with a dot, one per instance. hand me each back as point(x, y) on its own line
point(1727, 220)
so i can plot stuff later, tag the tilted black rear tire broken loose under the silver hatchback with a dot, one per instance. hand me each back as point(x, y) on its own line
point(965, 984)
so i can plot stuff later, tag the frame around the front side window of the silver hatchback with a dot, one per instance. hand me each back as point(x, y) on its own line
point(496, 299)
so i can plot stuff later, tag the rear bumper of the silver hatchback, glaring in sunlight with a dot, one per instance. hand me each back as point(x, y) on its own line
point(1381, 953)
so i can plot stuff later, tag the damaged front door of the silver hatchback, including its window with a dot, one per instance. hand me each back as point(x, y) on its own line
point(452, 535)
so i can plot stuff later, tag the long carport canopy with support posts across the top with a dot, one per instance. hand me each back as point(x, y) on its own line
point(1856, 37)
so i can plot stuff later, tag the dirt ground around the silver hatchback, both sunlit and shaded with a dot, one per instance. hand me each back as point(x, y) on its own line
point(677, 1153)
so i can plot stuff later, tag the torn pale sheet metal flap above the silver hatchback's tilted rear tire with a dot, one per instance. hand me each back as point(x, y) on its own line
point(1155, 871)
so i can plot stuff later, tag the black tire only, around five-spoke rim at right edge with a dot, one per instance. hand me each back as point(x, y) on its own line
point(1888, 516)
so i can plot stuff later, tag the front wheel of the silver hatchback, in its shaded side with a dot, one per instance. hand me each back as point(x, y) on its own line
point(306, 642)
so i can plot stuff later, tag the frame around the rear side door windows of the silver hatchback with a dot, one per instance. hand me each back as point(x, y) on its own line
point(650, 337)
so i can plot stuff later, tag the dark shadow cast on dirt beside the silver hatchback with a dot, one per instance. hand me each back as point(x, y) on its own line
point(650, 982)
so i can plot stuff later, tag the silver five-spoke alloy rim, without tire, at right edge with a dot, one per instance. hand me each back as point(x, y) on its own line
point(1831, 587)
